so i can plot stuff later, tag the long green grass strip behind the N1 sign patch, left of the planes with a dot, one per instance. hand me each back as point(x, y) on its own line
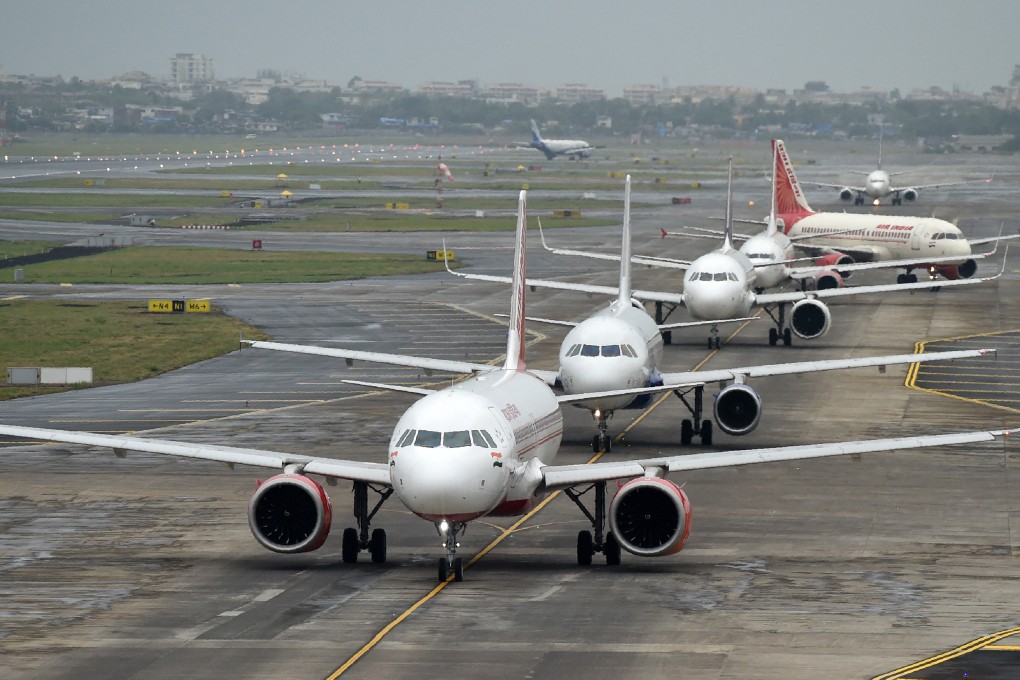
point(200, 266)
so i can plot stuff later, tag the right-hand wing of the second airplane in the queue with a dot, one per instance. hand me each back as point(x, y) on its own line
point(792, 369)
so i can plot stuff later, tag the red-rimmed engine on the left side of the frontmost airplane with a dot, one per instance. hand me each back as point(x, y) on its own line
point(290, 514)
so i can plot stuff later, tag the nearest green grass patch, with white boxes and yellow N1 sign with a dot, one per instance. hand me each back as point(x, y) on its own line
point(121, 341)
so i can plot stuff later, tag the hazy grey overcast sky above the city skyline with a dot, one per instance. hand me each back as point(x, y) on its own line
point(607, 44)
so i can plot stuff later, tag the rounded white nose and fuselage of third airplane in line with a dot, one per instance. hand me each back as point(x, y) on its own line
point(720, 286)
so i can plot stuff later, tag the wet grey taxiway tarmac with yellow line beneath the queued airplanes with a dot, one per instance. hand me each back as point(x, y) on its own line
point(851, 567)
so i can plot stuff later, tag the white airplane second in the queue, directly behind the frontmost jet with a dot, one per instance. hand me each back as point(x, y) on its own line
point(620, 347)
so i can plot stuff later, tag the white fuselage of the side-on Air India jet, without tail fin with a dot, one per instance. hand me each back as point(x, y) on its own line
point(881, 237)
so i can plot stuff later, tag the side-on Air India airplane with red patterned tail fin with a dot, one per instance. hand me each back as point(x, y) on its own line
point(941, 246)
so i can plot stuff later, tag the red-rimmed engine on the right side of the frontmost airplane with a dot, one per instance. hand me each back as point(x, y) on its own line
point(651, 517)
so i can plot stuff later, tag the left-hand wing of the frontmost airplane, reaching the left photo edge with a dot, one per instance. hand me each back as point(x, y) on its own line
point(374, 474)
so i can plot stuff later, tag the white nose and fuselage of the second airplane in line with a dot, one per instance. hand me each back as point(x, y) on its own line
point(619, 348)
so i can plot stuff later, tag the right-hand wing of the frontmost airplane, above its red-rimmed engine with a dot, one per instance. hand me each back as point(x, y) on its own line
point(565, 477)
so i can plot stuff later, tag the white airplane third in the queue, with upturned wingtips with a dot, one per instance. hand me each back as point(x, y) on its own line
point(723, 285)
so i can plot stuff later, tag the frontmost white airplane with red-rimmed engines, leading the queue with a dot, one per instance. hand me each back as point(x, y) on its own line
point(485, 447)
